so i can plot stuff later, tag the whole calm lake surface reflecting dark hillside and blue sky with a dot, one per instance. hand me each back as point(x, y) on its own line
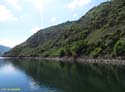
point(50, 76)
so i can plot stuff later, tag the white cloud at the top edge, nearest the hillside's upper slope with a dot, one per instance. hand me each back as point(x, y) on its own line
point(77, 3)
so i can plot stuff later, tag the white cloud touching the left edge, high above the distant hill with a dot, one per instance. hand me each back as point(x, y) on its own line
point(6, 14)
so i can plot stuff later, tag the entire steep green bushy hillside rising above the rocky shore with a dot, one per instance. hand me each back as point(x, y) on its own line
point(101, 32)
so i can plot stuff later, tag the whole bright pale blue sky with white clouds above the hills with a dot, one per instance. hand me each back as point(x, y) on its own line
point(19, 19)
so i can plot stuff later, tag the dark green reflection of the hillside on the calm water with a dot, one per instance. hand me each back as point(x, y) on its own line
point(75, 77)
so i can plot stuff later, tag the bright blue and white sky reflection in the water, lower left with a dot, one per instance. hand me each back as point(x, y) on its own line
point(13, 76)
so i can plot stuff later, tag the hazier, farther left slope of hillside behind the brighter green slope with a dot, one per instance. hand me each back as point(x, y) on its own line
point(39, 40)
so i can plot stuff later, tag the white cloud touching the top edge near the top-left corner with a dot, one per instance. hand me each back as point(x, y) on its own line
point(14, 3)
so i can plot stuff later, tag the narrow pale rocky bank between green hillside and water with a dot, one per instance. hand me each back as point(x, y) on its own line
point(109, 61)
